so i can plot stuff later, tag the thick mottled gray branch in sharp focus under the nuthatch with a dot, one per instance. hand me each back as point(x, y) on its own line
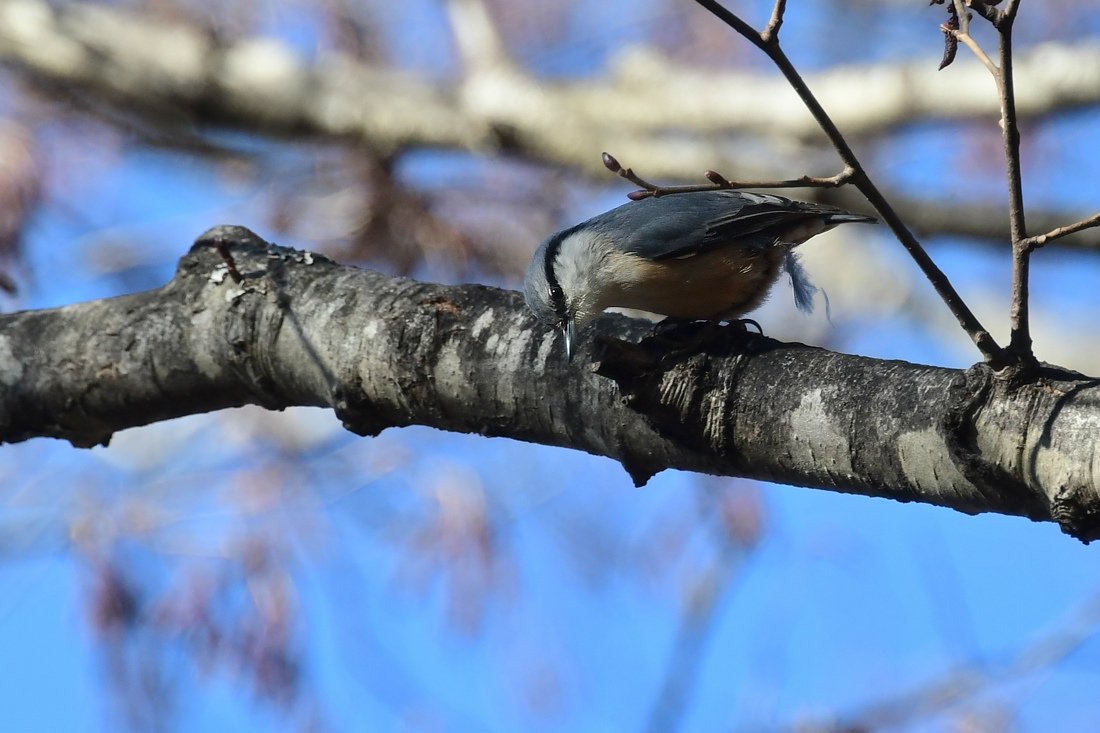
point(300, 330)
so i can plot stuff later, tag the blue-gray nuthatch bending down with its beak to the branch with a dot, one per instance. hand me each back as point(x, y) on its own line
point(705, 256)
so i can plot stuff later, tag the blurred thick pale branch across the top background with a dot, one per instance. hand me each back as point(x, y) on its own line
point(184, 78)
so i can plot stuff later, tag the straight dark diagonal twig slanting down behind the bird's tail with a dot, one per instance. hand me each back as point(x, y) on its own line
point(991, 351)
